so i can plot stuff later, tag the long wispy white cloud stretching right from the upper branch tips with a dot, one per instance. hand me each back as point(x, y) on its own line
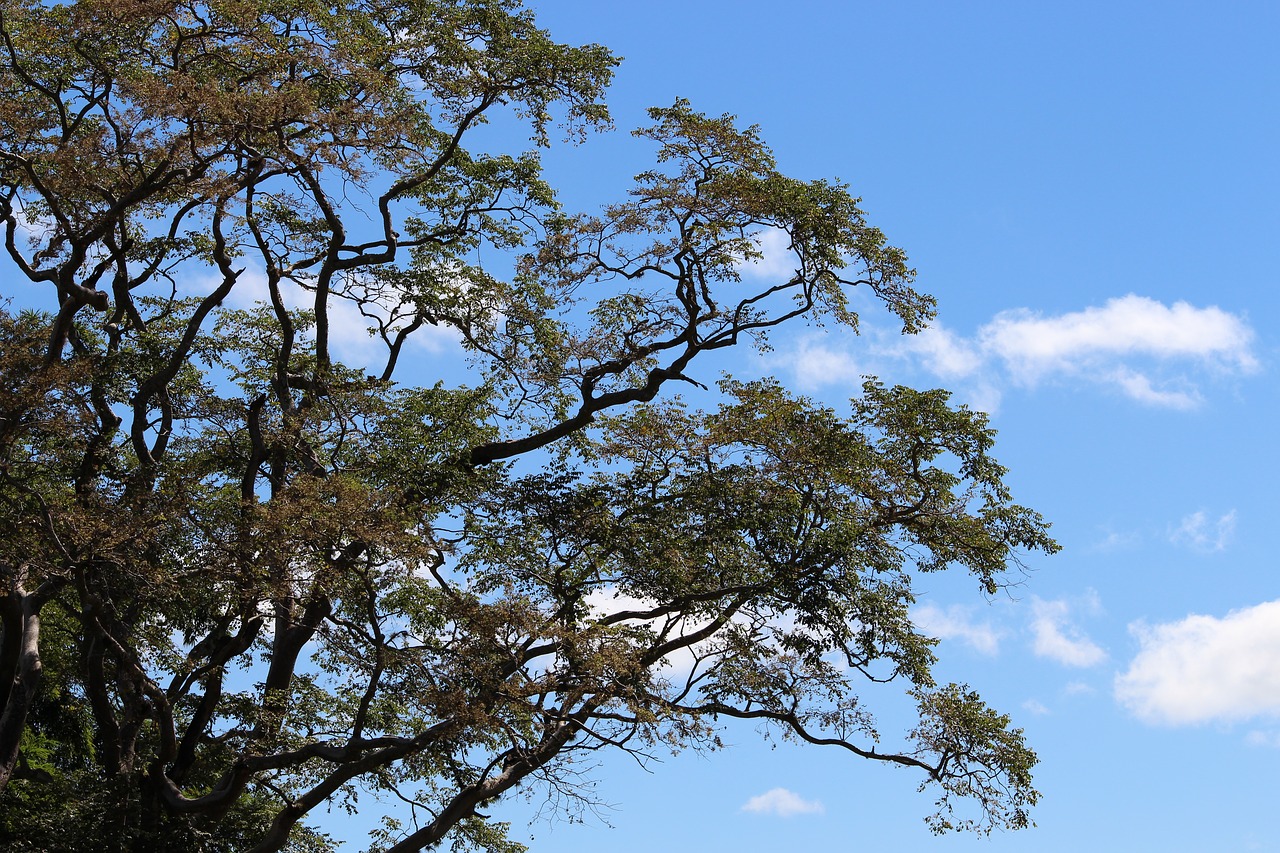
point(1150, 353)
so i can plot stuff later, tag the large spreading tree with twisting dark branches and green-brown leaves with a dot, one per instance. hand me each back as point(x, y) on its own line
point(245, 580)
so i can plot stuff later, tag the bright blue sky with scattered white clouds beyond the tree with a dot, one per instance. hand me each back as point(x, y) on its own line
point(1091, 191)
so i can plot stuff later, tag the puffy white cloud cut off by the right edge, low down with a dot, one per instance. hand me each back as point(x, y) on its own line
point(1204, 668)
